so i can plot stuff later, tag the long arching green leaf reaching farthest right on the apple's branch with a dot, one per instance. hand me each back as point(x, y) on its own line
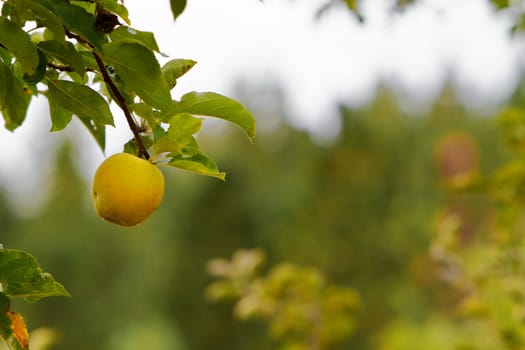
point(212, 104)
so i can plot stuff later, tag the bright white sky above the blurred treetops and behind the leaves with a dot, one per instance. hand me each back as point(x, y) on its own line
point(318, 63)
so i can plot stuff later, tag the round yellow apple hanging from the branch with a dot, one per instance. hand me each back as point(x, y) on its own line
point(127, 189)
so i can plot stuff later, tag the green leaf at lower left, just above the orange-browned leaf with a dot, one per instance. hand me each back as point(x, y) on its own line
point(22, 277)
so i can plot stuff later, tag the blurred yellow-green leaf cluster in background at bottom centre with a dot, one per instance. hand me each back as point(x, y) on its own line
point(303, 310)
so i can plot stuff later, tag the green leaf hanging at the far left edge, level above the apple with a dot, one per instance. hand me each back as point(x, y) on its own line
point(16, 100)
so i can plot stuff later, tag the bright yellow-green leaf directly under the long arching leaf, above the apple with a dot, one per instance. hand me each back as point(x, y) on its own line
point(180, 133)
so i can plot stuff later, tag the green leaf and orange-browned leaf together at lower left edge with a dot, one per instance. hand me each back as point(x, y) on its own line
point(21, 277)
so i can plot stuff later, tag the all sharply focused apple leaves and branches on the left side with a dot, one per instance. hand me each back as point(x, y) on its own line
point(81, 56)
